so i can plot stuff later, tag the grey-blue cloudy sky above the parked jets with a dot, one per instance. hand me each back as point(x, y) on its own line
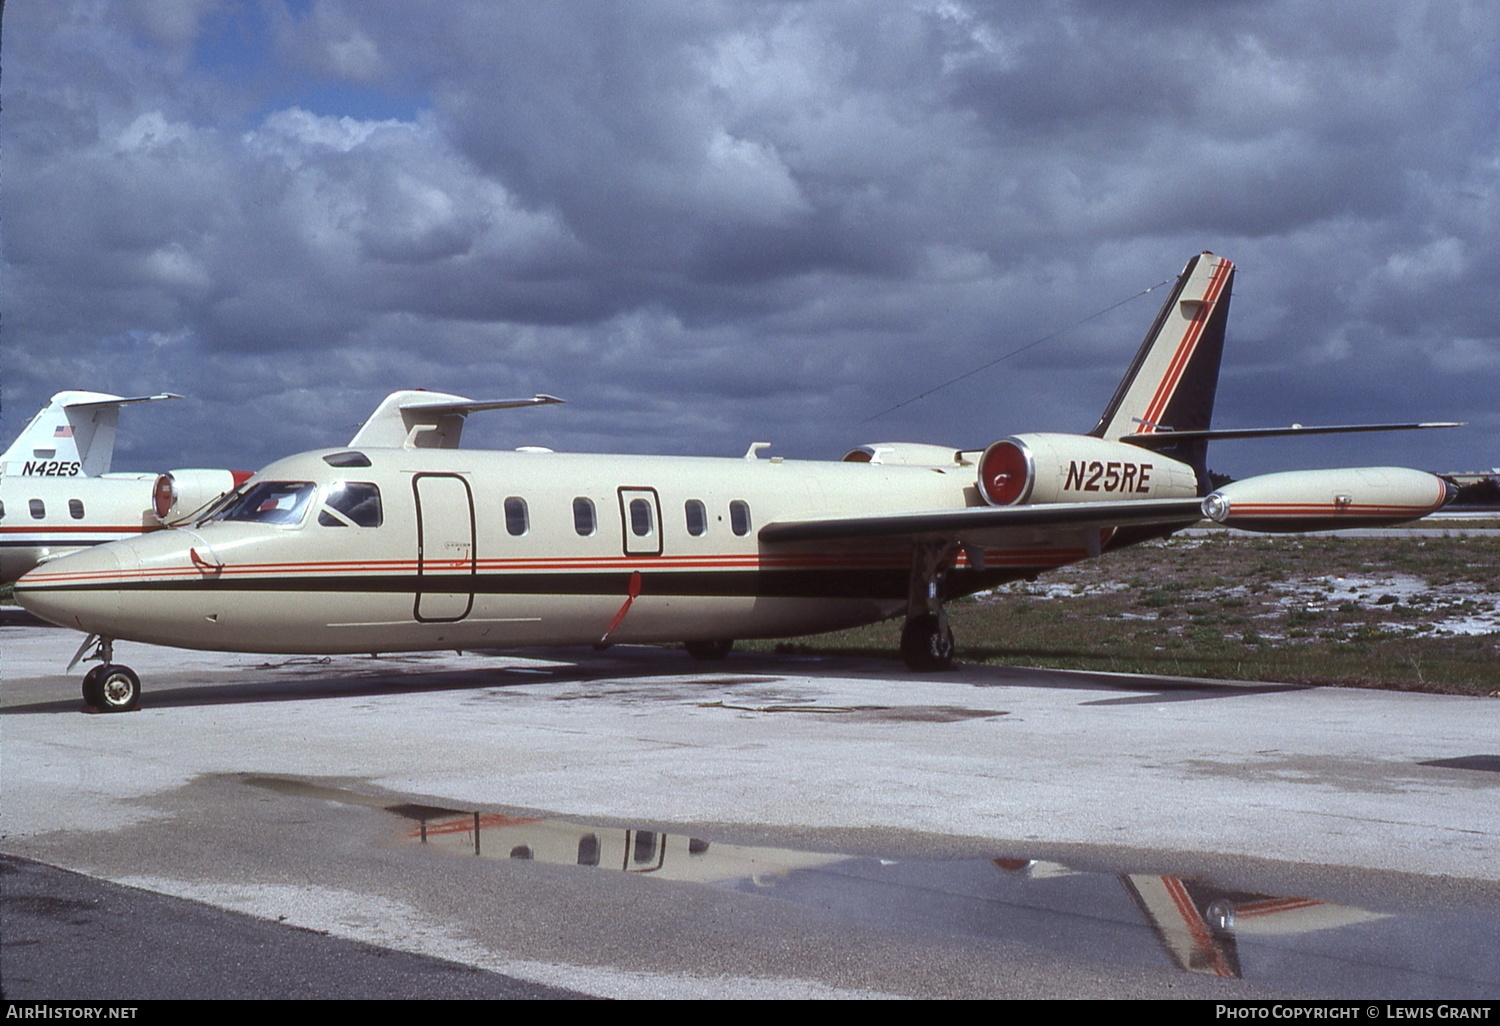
point(707, 224)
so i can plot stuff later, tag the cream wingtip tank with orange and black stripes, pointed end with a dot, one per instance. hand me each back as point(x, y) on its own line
point(1328, 500)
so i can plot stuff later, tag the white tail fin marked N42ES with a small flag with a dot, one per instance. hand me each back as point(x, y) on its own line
point(71, 437)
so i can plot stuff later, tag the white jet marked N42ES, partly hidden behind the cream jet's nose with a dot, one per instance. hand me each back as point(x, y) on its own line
point(59, 496)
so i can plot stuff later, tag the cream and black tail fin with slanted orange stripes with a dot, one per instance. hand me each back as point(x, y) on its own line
point(1172, 382)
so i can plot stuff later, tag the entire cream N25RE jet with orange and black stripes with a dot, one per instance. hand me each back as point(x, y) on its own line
point(404, 542)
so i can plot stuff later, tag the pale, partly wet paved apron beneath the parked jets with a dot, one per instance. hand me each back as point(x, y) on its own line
point(637, 824)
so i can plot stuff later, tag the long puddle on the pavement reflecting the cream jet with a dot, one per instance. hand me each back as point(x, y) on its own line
point(1136, 917)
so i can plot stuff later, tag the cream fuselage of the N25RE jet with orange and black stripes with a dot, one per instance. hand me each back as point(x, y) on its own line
point(497, 550)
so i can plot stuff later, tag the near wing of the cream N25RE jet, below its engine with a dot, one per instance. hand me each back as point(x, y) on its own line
point(982, 518)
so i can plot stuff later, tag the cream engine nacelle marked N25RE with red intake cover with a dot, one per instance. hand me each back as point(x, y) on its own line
point(1079, 469)
